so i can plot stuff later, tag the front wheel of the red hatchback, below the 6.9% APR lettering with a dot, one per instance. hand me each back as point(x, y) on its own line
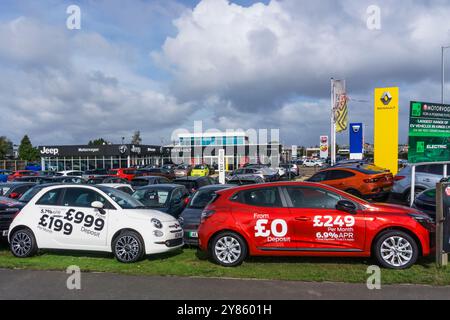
point(396, 249)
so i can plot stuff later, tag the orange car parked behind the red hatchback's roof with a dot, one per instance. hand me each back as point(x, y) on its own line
point(361, 182)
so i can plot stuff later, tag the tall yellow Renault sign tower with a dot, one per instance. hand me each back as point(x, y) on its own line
point(386, 103)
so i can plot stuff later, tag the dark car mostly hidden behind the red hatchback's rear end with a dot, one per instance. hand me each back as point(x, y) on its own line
point(191, 215)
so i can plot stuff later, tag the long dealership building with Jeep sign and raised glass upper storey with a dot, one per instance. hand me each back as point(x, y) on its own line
point(195, 148)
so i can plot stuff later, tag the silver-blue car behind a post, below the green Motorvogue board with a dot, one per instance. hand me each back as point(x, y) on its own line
point(426, 177)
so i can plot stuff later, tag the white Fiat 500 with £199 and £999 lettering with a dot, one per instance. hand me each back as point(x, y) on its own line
point(92, 218)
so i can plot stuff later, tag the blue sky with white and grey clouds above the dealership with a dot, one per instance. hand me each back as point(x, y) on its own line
point(159, 65)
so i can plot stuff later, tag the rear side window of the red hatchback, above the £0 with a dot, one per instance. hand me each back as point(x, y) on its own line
point(266, 197)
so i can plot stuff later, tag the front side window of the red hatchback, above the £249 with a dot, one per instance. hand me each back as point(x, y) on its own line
point(315, 198)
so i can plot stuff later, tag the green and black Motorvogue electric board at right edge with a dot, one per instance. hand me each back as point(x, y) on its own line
point(429, 132)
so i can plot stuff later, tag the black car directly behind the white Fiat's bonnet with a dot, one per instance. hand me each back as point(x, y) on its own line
point(167, 198)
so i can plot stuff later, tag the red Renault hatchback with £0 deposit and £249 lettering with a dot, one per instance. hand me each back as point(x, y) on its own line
point(308, 219)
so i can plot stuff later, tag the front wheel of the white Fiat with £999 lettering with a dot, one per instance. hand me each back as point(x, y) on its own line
point(128, 247)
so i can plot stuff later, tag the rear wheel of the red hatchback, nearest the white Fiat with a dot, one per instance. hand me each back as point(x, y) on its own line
point(228, 249)
